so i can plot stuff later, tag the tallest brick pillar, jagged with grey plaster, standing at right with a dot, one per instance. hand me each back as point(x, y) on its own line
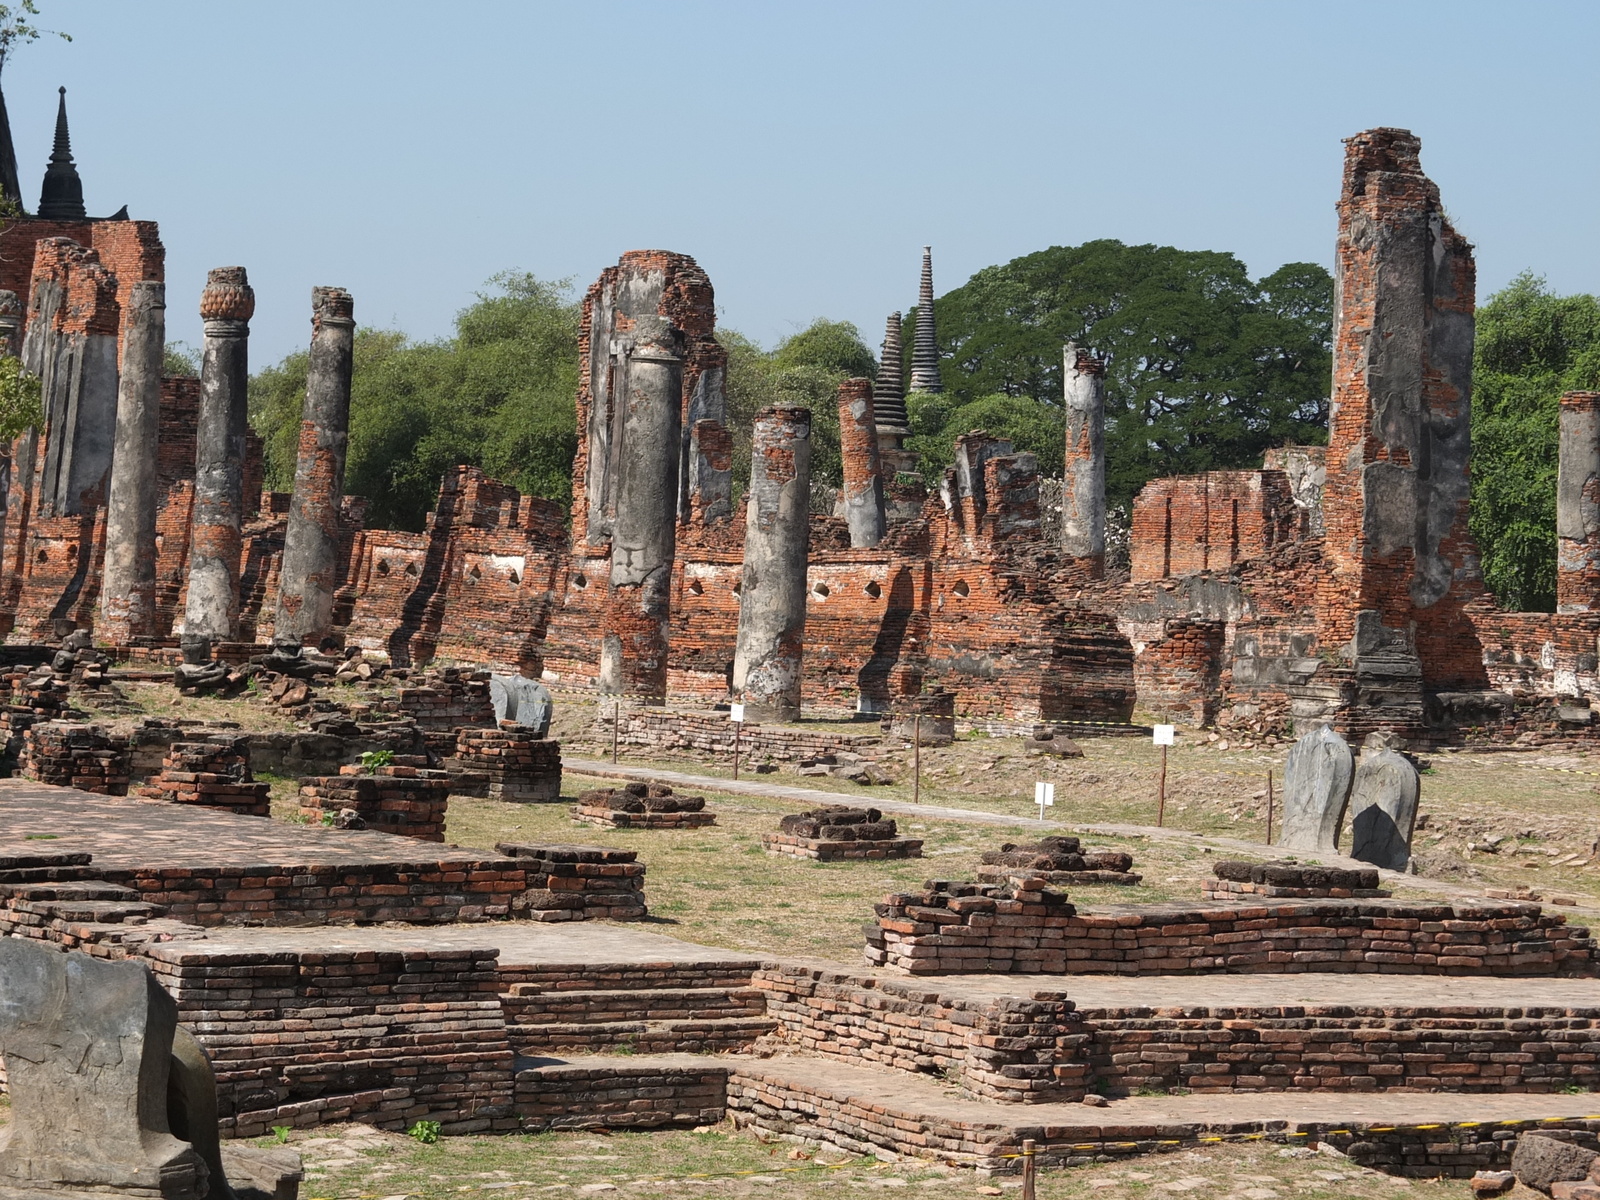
point(1399, 441)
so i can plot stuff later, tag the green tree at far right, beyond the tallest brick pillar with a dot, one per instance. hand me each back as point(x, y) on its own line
point(1530, 348)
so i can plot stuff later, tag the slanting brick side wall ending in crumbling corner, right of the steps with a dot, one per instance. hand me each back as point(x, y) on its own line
point(1023, 1050)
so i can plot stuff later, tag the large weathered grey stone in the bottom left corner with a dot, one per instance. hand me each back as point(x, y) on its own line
point(87, 1049)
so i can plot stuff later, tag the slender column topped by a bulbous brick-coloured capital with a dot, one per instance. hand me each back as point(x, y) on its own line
point(212, 609)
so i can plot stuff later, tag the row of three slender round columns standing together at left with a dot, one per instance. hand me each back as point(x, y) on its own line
point(310, 572)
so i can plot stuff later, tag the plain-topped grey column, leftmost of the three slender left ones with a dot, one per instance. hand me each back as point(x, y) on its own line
point(129, 583)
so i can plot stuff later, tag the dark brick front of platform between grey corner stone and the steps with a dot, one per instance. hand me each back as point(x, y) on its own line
point(306, 1038)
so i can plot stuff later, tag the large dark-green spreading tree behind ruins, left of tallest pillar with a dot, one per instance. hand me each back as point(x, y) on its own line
point(1206, 367)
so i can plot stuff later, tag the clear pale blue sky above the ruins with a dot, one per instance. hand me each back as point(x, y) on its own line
point(804, 153)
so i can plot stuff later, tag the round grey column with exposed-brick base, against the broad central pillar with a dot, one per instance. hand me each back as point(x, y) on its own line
point(644, 530)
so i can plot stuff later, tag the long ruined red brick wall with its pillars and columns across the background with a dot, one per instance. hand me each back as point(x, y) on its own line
point(1332, 585)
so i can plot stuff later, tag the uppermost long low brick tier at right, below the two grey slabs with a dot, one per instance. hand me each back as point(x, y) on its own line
point(962, 927)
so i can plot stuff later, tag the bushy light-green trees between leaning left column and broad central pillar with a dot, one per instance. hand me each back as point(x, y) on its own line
point(500, 394)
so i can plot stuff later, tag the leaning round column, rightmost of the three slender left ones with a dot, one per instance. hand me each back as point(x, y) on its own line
point(311, 545)
